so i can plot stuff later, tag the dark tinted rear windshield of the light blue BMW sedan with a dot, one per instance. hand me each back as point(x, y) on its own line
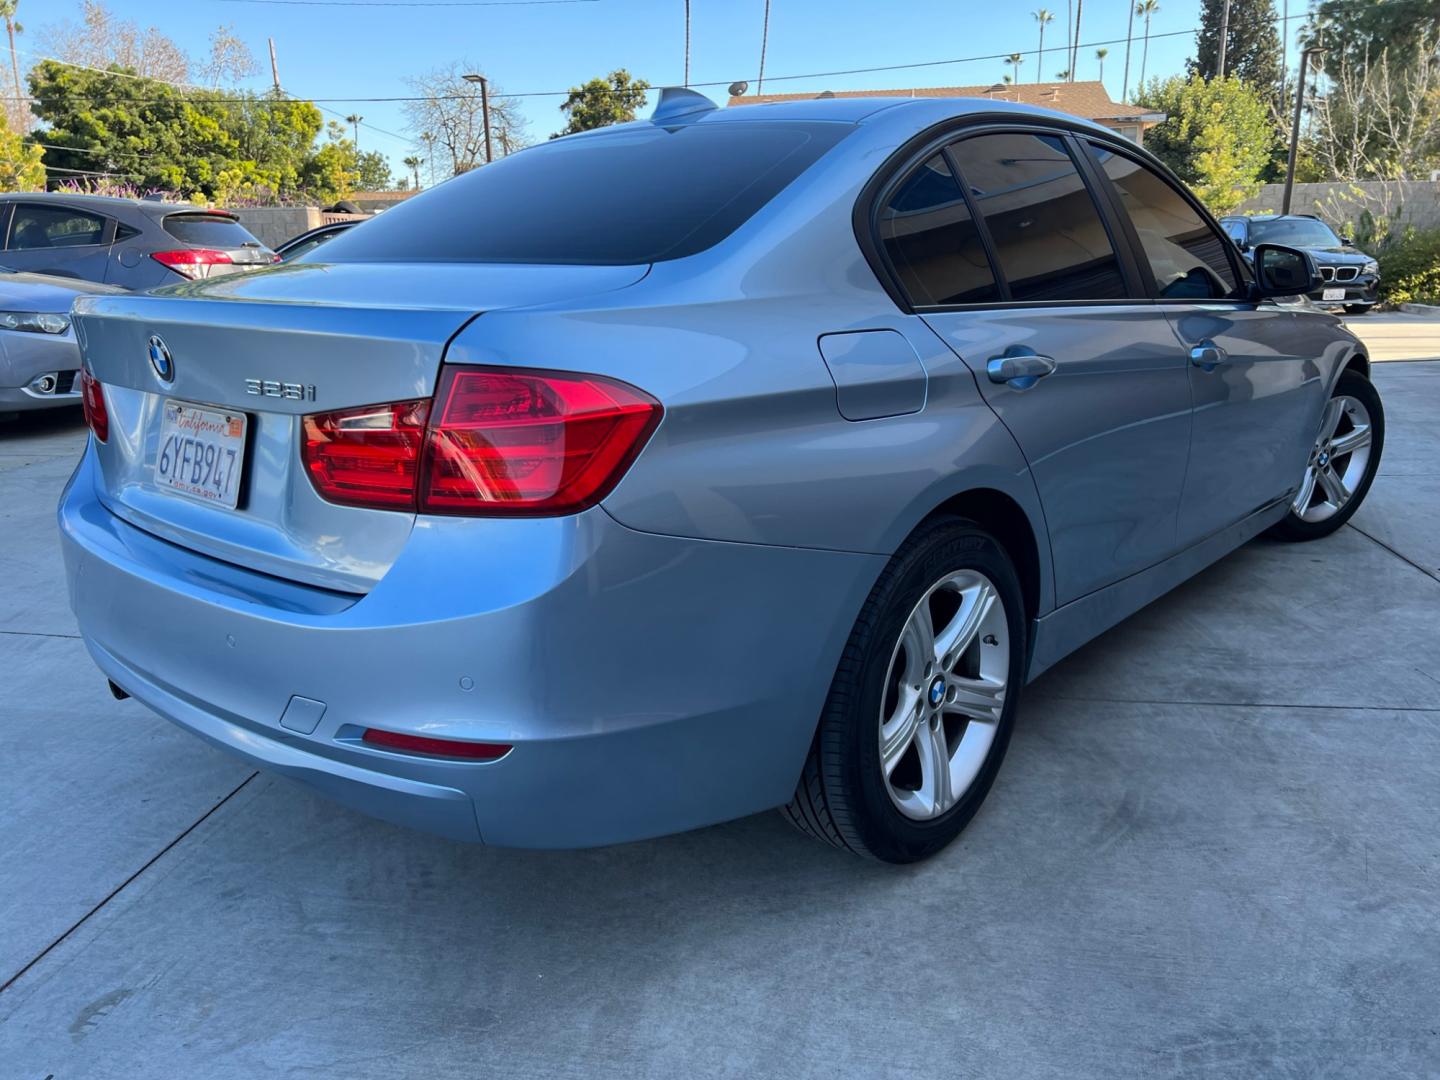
point(637, 195)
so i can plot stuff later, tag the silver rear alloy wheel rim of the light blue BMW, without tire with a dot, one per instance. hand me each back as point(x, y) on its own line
point(945, 693)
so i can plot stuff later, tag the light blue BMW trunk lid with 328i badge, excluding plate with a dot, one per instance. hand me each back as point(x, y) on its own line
point(273, 348)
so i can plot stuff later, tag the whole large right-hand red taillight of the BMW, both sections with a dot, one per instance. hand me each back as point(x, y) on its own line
point(495, 443)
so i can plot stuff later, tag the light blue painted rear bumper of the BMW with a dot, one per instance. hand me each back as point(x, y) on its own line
point(649, 685)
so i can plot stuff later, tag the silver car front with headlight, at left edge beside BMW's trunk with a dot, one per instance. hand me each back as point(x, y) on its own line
point(40, 359)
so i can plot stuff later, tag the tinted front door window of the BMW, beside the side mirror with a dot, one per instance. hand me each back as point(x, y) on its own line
point(1189, 258)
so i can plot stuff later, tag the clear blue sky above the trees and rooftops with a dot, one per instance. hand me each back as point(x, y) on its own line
point(358, 53)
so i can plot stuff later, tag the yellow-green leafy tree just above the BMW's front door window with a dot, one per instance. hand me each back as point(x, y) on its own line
point(1218, 138)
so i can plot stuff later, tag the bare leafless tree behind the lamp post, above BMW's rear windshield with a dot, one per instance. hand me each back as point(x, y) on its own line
point(450, 110)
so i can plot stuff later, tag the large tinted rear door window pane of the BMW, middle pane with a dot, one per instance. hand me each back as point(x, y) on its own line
point(1046, 231)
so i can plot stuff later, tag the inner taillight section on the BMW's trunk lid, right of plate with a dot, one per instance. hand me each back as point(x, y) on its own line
point(366, 457)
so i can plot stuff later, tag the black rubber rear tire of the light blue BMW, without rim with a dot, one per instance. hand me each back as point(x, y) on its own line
point(842, 796)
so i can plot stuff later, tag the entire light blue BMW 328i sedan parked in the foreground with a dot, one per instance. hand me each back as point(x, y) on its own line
point(693, 467)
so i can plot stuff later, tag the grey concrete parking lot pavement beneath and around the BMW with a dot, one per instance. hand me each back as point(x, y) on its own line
point(1215, 850)
